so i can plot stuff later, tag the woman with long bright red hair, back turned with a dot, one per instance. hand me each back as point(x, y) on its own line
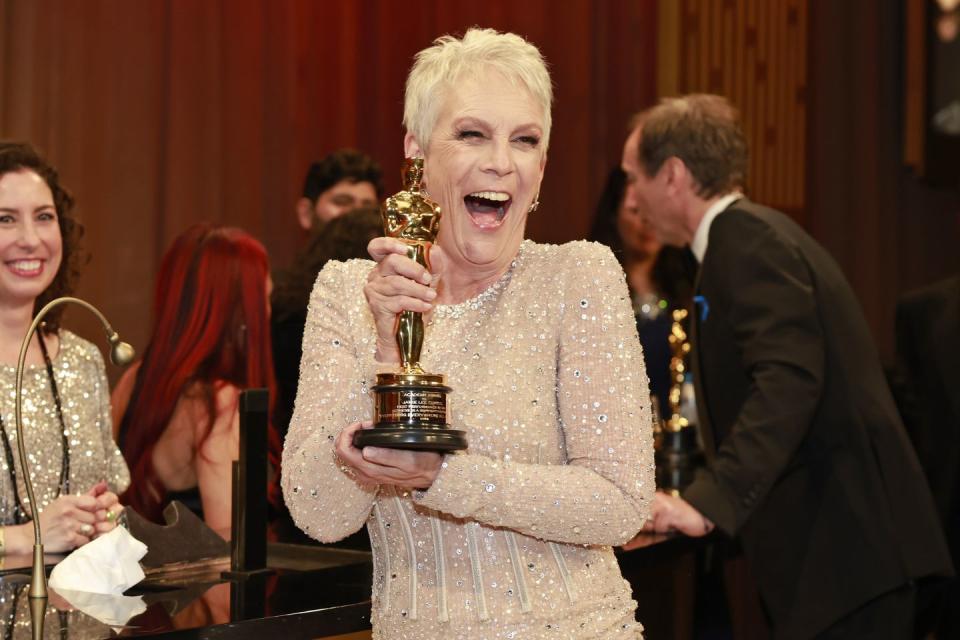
point(180, 422)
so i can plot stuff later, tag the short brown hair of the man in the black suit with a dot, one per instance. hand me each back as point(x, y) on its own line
point(703, 131)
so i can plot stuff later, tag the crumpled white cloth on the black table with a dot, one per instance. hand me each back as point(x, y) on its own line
point(110, 564)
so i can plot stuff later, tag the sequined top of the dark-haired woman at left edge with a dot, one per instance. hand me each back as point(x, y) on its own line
point(85, 396)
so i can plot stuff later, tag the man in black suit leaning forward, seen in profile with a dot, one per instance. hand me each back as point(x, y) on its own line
point(808, 463)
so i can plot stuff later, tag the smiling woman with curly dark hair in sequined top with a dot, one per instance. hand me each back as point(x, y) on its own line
point(77, 469)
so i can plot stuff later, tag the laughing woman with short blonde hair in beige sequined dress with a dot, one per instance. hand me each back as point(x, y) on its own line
point(511, 538)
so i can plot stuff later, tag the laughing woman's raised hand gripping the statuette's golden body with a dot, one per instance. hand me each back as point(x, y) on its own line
point(397, 284)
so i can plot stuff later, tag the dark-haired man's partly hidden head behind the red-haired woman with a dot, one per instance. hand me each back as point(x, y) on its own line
point(344, 180)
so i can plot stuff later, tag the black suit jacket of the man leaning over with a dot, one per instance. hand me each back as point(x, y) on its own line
point(808, 462)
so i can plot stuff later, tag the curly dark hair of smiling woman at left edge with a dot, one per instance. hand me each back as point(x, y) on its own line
point(21, 156)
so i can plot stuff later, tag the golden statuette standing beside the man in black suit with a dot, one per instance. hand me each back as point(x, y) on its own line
point(676, 450)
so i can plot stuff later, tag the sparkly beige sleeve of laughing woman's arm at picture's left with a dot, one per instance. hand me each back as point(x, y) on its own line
point(324, 500)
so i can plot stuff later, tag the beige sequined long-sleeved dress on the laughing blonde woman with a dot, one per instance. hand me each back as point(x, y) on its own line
point(513, 538)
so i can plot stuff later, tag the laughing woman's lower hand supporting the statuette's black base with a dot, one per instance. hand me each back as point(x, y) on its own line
point(377, 465)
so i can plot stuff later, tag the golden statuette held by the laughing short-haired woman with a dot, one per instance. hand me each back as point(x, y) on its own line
point(410, 405)
